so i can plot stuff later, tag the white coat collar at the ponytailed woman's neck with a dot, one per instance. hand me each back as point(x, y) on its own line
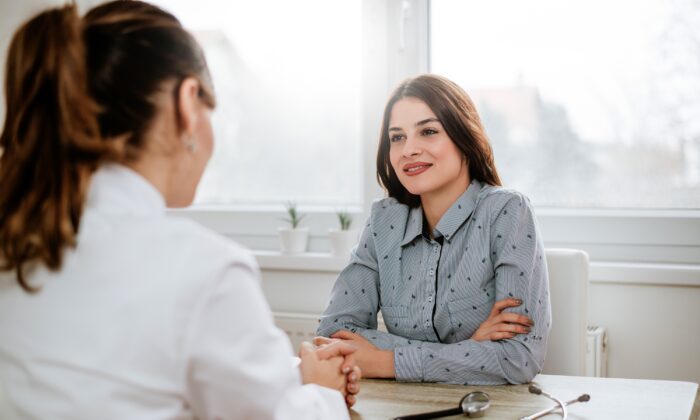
point(116, 188)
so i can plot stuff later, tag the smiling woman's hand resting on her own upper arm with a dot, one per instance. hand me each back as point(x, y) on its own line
point(500, 325)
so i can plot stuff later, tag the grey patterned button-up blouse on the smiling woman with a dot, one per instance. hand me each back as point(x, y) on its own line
point(434, 293)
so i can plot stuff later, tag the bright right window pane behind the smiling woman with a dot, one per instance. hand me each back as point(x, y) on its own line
point(591, 103)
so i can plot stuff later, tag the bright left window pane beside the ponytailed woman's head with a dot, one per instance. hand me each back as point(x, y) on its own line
point(287, 79)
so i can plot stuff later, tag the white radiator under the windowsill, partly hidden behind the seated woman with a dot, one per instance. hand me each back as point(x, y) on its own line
point(302, 327)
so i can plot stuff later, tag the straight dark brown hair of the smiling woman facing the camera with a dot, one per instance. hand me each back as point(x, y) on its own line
point(457, 114)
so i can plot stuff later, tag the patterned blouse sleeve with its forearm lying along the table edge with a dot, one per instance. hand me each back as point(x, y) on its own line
point(520, 271)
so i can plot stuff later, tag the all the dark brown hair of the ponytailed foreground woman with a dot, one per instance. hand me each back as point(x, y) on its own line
point(79, 92)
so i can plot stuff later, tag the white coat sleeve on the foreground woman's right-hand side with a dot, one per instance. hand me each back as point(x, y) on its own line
point(238, 364)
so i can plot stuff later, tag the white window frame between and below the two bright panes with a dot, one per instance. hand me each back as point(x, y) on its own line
point(395, 46)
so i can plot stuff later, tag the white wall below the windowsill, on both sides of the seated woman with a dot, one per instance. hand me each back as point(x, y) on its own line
point(653, 330)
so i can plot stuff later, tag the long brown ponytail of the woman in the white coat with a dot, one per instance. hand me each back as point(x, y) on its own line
point(50, 141)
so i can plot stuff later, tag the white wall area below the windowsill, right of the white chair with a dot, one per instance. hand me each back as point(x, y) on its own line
point(653, 331)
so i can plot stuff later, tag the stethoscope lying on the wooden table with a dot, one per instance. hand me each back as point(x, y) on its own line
point(476, 403)
